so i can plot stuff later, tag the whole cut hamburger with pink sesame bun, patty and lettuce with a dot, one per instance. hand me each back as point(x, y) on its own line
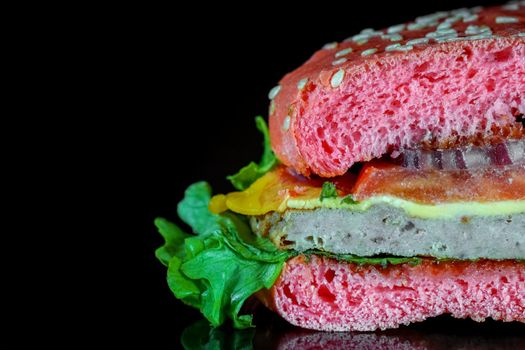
point(391, 188)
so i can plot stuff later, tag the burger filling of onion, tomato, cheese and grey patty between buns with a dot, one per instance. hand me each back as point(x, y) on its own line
point(461, 204)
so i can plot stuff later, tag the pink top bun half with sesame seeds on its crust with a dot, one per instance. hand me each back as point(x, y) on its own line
point(445, 79)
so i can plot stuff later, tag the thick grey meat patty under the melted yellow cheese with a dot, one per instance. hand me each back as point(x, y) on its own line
point(386, 230)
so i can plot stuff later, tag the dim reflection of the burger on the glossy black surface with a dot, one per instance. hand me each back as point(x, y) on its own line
point(439, 333)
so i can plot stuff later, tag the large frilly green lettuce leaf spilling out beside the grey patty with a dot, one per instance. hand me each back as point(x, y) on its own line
point(220, 266)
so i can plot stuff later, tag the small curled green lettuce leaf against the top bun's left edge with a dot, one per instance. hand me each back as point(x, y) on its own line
point(251, 172)
